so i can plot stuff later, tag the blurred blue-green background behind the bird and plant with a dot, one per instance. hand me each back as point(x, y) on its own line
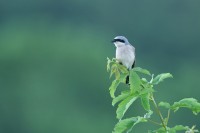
point(53, 54)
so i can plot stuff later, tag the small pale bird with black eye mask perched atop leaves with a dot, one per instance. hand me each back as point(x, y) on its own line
point(125, 53)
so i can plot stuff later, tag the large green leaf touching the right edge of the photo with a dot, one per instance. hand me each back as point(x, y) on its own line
point(189, 103)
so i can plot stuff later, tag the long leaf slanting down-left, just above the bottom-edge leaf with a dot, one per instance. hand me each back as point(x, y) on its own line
point(124, 105)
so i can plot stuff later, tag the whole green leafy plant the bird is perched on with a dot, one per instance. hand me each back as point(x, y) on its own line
point(143, 90)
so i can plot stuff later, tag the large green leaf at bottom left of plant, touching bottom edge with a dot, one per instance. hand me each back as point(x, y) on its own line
point(126, 125)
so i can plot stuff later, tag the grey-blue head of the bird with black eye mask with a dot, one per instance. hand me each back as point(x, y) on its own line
point(120, 41)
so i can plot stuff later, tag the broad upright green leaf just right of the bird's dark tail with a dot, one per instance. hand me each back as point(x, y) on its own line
point(135, 81)
